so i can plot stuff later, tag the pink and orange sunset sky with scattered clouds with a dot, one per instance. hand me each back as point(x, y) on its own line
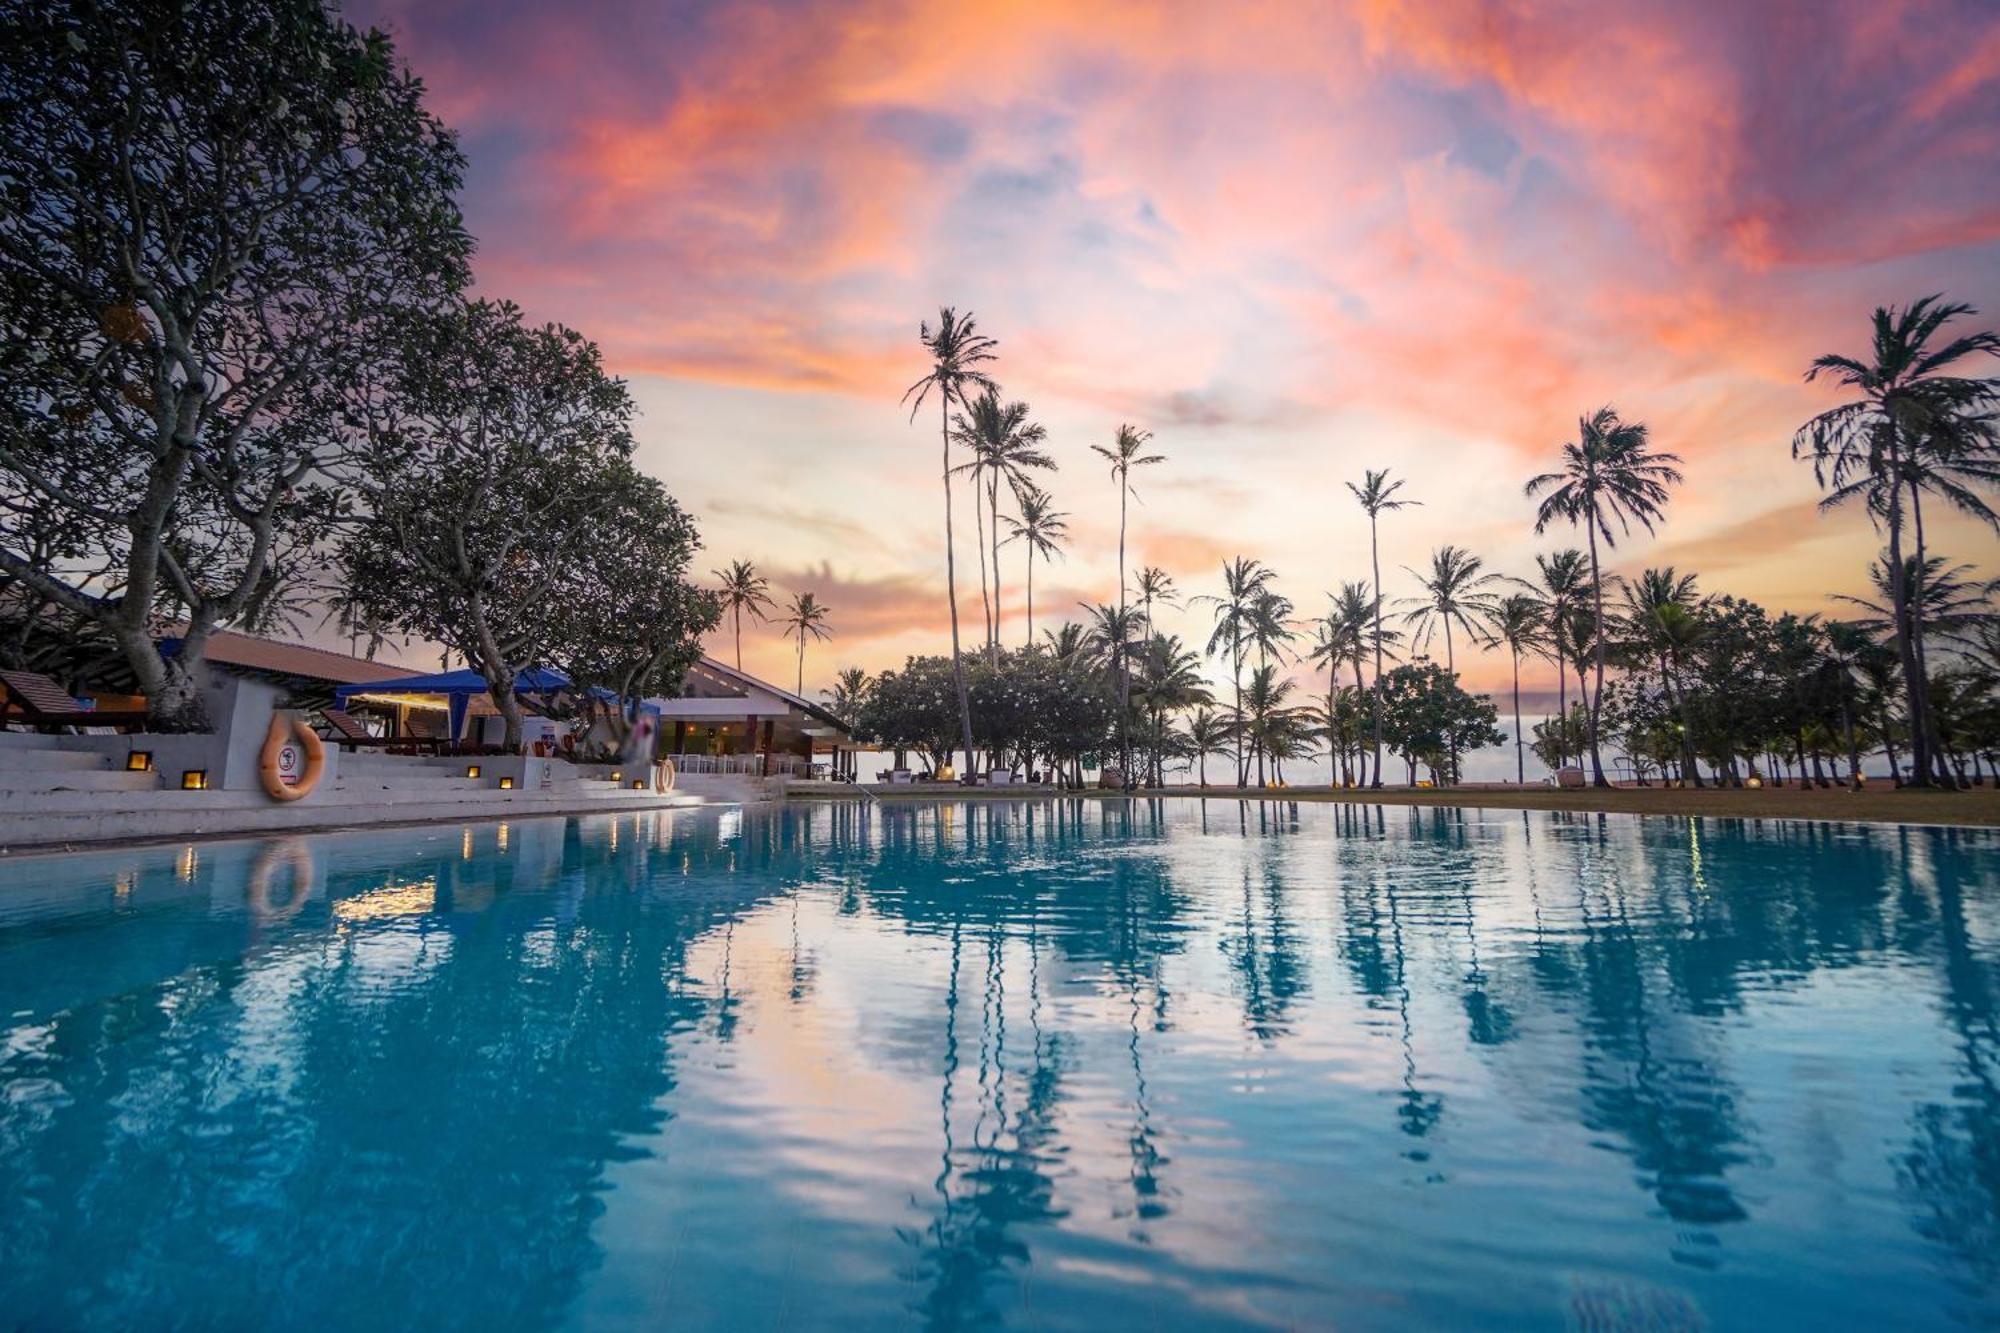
point(1291, 241)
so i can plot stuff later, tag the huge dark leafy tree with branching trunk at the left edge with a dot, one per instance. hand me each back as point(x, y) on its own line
point(209, 215)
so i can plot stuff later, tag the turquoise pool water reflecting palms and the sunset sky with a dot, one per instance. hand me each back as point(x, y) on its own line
point(1049, 1066)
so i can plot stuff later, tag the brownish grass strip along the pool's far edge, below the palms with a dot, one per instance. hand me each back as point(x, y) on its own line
point(1879, 804)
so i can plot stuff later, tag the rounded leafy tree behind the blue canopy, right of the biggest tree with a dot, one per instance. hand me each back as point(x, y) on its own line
point(487, 481)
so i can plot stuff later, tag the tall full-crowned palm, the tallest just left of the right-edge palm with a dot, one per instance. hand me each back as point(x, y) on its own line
point(1611, 471)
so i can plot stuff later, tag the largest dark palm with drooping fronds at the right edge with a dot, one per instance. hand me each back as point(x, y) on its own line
point(1877, 447)
